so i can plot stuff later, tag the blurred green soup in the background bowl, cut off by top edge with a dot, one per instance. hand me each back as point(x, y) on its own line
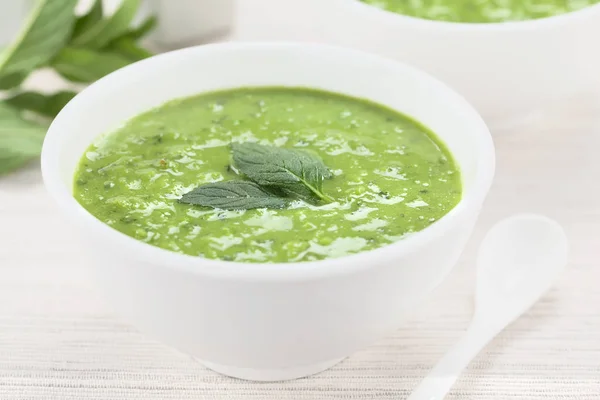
point(481, 11)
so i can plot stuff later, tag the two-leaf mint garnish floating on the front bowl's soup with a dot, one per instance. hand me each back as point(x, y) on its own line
point(276, 175)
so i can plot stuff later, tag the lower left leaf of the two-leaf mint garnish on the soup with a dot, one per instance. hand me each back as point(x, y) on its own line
point(233, 195)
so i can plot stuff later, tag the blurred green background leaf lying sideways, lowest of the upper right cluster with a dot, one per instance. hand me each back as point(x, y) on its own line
point(82, 65)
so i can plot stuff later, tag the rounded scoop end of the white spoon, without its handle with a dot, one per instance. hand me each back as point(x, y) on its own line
point(518, 261)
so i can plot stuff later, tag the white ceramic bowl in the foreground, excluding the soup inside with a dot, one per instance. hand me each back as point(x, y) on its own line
point(269, 321)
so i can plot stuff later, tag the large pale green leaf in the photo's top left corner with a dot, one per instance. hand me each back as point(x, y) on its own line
point(46, 31)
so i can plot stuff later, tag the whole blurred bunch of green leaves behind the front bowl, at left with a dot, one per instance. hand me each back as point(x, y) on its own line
point(82, 49)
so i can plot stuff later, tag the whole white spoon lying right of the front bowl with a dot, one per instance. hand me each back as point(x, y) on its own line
point(518, 261)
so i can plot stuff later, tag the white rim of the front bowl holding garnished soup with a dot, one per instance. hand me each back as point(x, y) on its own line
point(152, 255)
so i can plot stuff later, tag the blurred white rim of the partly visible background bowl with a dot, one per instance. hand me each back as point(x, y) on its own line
point(525, 25)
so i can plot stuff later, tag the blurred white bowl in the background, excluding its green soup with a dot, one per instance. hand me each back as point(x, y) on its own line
point(508, 71)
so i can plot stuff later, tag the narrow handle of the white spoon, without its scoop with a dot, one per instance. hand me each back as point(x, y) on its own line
point(441, 378)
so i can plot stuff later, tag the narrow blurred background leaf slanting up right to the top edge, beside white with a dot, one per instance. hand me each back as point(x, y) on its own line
point(109, 28)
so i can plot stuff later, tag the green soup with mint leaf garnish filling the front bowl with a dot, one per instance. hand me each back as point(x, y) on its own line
point(268, 175)
